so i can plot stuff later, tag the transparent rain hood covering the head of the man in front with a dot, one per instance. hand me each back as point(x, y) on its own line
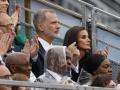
point(58, 60)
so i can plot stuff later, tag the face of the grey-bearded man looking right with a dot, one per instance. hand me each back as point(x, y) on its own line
point(50, 25)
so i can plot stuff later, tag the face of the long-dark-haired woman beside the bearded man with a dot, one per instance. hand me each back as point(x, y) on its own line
point(83, 40)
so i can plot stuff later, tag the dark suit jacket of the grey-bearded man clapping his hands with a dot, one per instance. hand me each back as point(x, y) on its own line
point(38, 66)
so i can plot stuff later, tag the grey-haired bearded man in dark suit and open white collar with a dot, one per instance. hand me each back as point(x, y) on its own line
point(47, 28)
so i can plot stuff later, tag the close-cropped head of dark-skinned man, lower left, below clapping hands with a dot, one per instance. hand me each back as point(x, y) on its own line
point(18, 62)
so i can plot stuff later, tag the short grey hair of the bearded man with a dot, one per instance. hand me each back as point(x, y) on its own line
point(40, 16)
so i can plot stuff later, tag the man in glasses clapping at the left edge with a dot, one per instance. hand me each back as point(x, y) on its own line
point(6, 34)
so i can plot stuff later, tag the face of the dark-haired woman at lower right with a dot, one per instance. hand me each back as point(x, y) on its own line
point(104, 68)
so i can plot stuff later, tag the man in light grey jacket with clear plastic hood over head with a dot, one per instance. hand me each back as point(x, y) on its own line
point(57, 66)
